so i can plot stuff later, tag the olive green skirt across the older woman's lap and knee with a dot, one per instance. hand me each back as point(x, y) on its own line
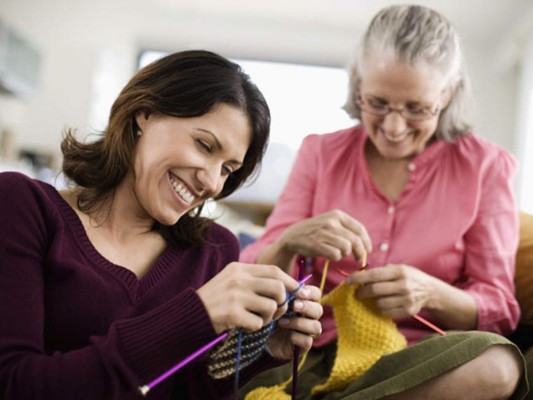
point(392, 373)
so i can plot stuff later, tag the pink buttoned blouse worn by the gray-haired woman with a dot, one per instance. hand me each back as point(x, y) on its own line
point(456, 219)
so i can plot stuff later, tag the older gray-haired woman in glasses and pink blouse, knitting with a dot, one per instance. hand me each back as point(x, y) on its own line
point(429, 205)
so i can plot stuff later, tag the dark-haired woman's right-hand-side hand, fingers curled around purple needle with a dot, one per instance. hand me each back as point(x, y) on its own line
point(301, 327)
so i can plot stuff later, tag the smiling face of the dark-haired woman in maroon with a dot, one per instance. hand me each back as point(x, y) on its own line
point(192, 156)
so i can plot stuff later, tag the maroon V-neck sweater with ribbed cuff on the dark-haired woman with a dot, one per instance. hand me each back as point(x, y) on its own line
point(76, 326)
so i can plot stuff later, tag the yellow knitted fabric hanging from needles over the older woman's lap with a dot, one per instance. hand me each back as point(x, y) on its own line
point(364, 335)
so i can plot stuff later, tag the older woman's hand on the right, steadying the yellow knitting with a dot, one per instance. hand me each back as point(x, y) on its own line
point(399, 290)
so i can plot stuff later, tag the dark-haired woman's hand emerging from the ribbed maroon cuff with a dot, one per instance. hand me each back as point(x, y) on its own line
point(246, 296)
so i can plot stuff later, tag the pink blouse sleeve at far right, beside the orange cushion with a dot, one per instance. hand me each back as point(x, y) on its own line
point(491, 245)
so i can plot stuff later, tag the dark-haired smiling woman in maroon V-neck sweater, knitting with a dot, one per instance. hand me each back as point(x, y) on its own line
point(108, 284)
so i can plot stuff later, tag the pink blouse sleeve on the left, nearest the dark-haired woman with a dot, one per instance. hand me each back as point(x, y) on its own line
point(296, 200)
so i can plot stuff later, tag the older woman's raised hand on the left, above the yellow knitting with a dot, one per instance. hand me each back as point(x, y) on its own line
point(332, 235)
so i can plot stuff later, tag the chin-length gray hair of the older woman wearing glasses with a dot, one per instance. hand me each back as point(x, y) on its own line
point(417, 34)
